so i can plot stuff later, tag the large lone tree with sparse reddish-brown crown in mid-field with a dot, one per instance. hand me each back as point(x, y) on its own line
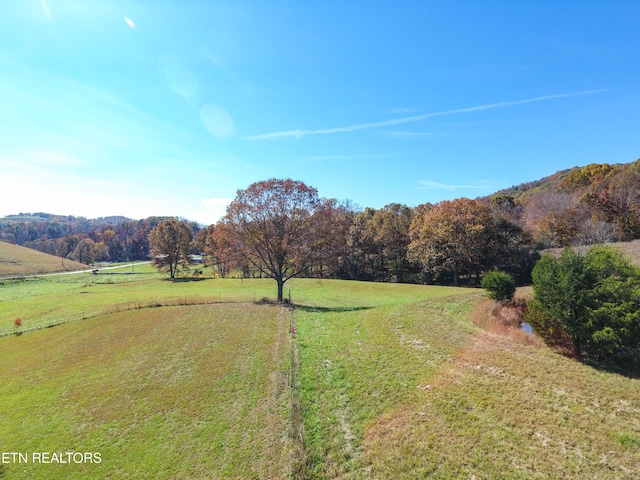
point(277, 233)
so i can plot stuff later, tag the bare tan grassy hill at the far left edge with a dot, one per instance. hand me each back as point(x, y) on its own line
point(21, 261)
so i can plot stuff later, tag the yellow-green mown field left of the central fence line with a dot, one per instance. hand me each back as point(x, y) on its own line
point(175, 392)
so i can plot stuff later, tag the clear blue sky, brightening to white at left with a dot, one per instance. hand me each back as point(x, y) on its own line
point(158, 107)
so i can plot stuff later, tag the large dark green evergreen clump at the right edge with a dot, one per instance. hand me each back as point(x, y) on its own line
point(596, 299)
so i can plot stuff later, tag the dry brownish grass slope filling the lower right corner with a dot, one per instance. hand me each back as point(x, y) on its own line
point(503, 410)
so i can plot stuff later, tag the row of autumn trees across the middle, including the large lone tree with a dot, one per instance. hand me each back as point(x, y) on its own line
point(282, 228)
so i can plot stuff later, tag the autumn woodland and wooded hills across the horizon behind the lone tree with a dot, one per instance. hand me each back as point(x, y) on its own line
point(449, 242)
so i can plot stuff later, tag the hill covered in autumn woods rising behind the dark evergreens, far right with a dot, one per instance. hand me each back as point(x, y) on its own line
point(597, 203)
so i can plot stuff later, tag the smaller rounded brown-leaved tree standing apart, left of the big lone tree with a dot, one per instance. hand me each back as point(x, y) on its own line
point(170, 243)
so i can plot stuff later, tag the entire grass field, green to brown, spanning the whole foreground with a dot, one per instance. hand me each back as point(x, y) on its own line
point(192, 379)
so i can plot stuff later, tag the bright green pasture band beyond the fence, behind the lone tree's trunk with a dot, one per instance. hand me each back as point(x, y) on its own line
point(48, 301)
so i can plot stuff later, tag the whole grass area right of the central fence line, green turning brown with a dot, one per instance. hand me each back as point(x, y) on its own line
point(413, 390)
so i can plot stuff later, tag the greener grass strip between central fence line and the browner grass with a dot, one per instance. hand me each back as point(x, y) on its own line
point(356, 365)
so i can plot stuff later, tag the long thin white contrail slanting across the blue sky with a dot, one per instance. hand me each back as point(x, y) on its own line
point(415, 118)
